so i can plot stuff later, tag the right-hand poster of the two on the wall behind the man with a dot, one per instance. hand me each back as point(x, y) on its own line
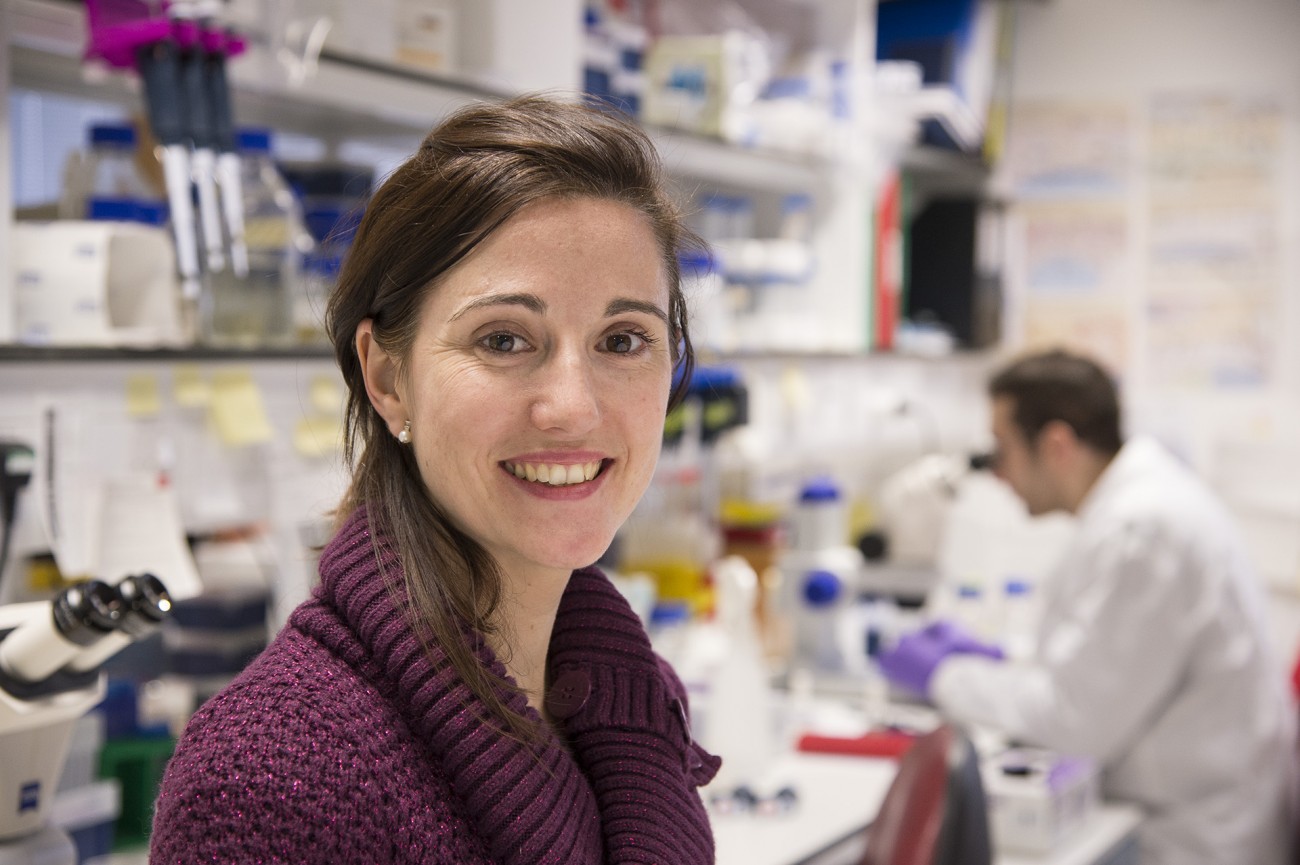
point(1214, 306)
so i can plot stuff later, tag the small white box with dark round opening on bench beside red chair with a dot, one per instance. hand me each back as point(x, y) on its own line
point(1037, 799)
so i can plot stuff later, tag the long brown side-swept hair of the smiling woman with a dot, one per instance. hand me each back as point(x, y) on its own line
point(476, 170)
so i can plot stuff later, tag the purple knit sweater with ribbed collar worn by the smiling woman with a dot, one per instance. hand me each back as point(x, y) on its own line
point(345, 742)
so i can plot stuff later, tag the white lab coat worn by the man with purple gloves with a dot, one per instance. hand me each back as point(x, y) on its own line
point(1154, 659)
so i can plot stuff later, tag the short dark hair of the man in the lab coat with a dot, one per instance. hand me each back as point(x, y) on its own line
point(1059, 386)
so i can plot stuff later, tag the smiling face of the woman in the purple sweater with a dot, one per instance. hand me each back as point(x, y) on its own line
point(539, 382)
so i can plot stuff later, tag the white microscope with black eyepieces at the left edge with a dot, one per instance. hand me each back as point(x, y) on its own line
point(51, 654)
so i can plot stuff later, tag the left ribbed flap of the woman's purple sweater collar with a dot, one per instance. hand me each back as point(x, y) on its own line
point(497, 778)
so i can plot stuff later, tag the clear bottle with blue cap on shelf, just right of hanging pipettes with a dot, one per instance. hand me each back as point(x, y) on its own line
point(258, 310)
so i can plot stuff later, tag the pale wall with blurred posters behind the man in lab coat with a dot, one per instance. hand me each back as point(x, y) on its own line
point(1158, 145)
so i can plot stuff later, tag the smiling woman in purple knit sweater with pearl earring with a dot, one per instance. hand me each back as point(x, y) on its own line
point(465, 687)
